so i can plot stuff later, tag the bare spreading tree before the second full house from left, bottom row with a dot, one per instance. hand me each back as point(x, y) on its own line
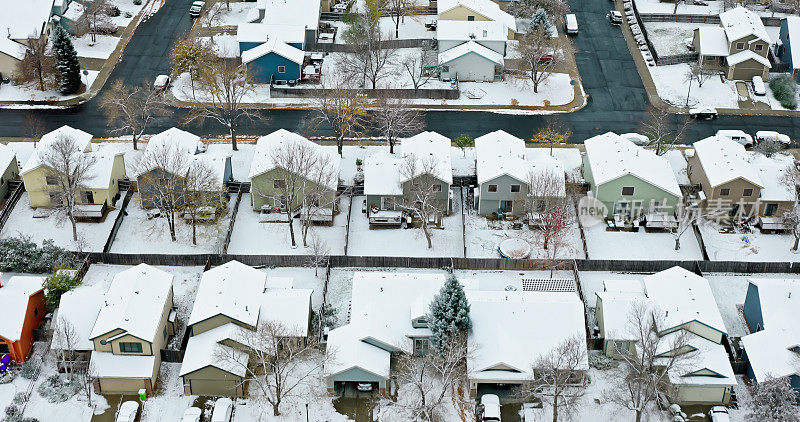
point(278, 362)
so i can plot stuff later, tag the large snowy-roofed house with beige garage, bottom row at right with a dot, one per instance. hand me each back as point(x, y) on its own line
point(681, 304)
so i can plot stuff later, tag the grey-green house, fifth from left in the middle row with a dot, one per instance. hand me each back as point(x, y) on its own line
point(505, 172)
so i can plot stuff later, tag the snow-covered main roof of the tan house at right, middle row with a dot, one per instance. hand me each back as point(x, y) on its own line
point(724, 160)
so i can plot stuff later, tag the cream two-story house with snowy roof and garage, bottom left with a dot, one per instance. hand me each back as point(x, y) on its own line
point(133, 325)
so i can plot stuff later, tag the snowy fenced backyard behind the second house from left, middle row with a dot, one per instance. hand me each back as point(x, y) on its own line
point(138, 234)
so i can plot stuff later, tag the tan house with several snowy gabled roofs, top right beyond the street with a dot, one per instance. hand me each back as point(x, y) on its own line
point(738, 47)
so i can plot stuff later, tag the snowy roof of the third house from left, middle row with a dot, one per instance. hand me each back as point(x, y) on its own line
point(268, 145)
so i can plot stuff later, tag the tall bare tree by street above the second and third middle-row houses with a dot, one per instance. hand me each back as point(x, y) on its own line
point(225, 86)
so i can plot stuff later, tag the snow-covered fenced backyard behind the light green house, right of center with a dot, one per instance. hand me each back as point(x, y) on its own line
point(602, 244)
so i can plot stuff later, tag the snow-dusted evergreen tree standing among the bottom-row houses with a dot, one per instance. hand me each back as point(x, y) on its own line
point(449, 313)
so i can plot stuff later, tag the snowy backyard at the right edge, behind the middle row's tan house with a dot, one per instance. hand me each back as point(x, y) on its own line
point(750, 247)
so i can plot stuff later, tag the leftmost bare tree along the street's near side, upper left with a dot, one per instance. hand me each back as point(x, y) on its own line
point(130, 109)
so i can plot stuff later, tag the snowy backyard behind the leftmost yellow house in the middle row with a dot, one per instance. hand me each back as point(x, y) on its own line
point(91, 236)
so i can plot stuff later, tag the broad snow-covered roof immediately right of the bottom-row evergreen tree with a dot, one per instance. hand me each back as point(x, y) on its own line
point(500, 319)
